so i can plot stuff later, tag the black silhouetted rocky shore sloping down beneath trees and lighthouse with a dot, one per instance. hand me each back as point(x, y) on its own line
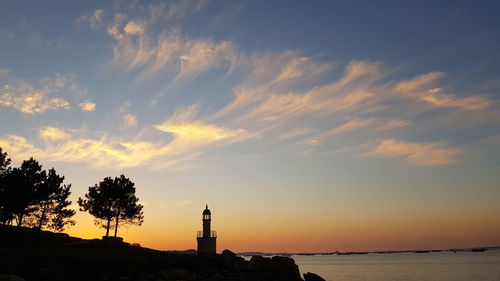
point(31, 255)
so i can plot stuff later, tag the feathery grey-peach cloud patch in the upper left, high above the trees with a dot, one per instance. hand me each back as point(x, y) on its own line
point(169, 51)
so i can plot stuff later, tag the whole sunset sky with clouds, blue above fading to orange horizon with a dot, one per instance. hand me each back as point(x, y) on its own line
point(305, 126)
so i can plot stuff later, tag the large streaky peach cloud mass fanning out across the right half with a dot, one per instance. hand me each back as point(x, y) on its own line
point(387, 107)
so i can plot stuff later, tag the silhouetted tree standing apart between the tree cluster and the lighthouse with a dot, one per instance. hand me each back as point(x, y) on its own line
point(113, 200)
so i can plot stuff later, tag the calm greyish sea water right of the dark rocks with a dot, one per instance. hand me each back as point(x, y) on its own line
point(443, 266)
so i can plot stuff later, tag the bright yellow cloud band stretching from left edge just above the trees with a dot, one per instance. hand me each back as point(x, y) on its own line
point(188, 139)
